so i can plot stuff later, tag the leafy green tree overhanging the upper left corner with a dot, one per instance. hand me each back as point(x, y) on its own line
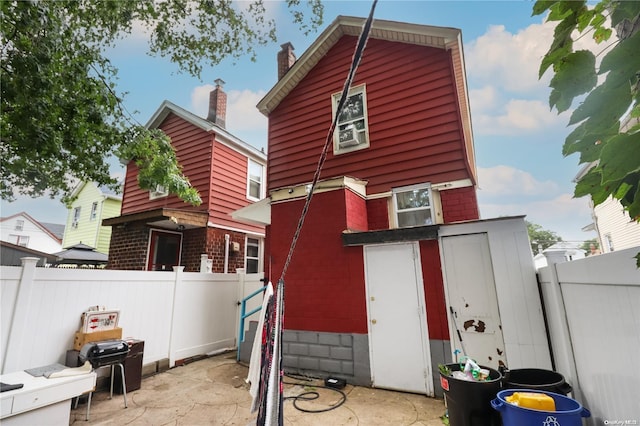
point(61, 117)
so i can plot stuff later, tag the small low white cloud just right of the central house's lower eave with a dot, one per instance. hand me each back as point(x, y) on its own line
point(502, 181)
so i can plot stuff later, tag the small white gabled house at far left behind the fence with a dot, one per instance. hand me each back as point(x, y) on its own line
point(23, 230)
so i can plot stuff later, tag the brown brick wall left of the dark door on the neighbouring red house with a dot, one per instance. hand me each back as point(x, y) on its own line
point(128, 248)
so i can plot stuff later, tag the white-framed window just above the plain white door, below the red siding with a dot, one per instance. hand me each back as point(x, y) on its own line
point(413, 205)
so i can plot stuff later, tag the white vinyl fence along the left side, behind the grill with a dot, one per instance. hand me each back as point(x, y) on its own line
point(177, 314)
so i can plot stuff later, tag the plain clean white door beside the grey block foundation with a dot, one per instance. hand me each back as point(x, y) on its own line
point(398, 336)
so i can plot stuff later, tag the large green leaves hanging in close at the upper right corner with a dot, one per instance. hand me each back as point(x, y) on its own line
point(598, 136)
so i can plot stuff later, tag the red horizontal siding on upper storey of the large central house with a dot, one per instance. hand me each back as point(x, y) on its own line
point(414, 125)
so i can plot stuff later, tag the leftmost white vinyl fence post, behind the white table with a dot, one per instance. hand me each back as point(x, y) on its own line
point(20, 317)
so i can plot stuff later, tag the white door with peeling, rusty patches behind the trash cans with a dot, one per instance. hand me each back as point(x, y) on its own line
point(471, 296)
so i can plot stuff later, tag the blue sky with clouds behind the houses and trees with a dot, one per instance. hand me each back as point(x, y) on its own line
point(518, 140)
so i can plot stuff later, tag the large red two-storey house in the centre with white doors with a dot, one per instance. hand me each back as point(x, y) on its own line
point(391, 243)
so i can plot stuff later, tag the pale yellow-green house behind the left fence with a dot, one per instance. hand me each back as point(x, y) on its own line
point(92, 204)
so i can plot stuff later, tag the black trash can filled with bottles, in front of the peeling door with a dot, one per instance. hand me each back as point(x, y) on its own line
point(469, 402)
